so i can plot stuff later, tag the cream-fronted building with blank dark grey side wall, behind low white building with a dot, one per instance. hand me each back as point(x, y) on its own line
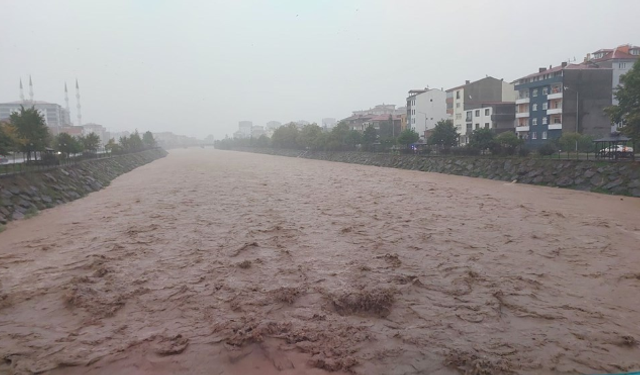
point(472, 95)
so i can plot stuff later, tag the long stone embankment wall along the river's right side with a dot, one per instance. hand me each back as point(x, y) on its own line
point(622, 178)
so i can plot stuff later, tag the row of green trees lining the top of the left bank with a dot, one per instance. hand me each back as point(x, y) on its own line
point(27, 132)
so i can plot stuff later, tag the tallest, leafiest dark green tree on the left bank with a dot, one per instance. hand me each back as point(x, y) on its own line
point(32, 129)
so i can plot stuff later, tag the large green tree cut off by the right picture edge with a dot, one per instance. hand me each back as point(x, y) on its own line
point(627, 111)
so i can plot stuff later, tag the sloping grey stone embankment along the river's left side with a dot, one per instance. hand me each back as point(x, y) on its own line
point(25, 194)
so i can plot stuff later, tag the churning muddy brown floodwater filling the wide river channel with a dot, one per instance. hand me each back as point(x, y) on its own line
point(213, 262)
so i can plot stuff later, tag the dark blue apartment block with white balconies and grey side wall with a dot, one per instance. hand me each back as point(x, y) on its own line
point(569, 98)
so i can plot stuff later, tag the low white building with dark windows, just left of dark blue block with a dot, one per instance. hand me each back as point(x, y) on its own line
point(497, 116)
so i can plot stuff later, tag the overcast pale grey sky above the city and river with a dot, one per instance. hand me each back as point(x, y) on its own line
point(199, 67)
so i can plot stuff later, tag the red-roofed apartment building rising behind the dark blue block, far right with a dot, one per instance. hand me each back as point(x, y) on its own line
point(619, 60)
